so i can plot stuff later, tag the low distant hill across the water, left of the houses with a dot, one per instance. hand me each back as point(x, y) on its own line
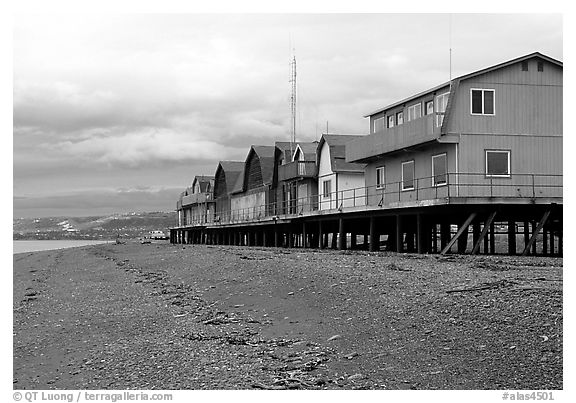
point(130, 225)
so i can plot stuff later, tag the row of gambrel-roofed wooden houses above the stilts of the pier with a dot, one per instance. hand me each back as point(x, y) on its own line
point(491, 137)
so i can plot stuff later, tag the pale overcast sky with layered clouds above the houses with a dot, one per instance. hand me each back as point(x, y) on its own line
point(118, 113)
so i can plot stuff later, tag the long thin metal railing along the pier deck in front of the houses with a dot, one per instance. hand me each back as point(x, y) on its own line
point(454, 188)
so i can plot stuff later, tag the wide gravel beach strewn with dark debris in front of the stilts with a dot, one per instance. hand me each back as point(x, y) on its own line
point(161, 316)
